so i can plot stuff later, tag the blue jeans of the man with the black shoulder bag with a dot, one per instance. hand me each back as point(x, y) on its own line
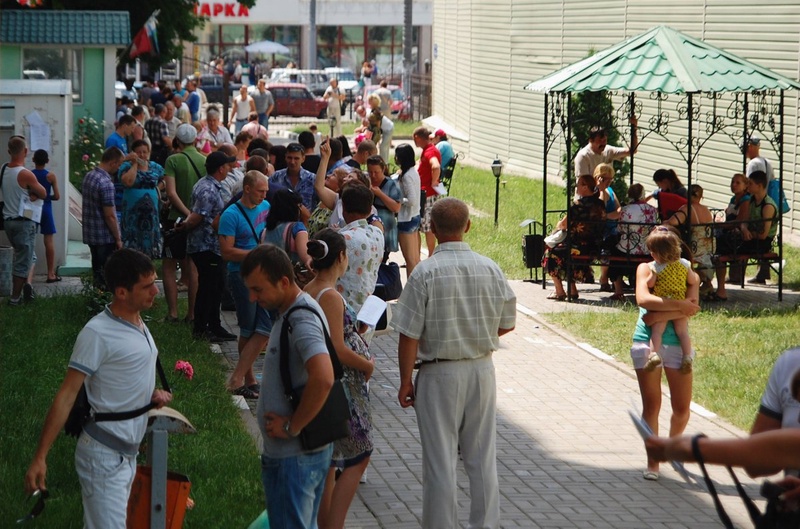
point(293, 488)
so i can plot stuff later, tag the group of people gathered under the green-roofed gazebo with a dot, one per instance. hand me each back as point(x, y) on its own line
point(602, 226)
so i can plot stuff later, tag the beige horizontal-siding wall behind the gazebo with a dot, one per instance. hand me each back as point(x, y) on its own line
point(487, 52)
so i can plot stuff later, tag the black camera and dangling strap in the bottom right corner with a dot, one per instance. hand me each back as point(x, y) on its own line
point(775, 517)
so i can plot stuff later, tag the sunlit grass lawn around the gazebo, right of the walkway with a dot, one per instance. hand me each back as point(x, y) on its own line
point(736, 350)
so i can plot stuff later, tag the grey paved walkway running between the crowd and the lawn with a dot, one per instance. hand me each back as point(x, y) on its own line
point(568, 454)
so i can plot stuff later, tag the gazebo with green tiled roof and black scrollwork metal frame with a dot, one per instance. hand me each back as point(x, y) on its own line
point(757, 104)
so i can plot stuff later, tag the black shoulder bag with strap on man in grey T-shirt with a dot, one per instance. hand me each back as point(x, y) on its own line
point(333, 420)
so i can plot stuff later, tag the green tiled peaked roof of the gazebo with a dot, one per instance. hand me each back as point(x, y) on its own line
point(663, 60)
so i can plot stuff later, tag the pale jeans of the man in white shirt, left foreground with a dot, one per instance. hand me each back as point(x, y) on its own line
point(106, 478)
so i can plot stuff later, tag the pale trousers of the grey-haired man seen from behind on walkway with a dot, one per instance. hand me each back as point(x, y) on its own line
point(456, 406)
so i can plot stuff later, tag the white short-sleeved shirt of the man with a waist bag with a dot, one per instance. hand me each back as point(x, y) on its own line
point(119, 361)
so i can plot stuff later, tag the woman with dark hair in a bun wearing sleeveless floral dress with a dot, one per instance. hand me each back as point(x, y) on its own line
point(328, 252)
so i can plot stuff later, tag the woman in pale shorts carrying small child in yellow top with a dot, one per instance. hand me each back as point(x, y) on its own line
point(657, 311)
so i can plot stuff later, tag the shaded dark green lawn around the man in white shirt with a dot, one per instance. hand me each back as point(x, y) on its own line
point(221, 459)
